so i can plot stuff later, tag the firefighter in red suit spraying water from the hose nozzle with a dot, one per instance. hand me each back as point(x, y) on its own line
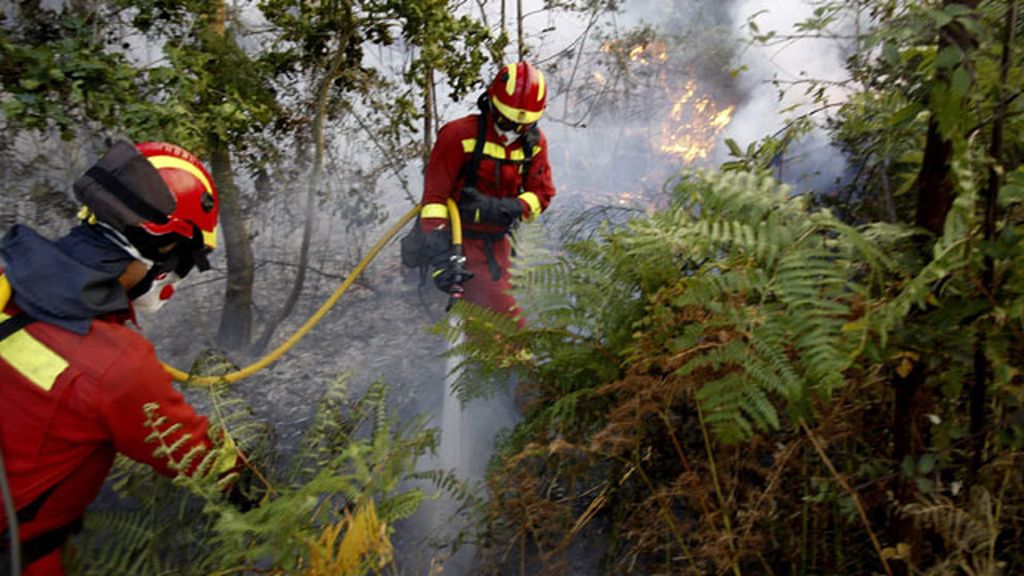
point(495, 166)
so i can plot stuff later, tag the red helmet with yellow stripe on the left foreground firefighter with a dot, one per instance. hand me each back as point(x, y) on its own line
point(196, 202)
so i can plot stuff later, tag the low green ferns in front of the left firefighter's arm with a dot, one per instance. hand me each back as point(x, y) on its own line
point(356, 450)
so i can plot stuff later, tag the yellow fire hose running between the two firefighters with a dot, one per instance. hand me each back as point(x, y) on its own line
point(317, 317)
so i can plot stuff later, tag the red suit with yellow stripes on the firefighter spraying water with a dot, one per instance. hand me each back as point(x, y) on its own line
point(499, 176)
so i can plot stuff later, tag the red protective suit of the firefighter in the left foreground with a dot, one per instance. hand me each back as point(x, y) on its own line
point(71, 403)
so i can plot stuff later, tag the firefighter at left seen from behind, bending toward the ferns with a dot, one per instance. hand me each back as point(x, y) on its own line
point(75, 379)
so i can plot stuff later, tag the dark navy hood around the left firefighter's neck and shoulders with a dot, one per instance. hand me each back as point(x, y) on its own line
point(52, 281)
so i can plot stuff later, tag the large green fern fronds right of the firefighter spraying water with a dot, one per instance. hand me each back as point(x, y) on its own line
point(779, 278)
